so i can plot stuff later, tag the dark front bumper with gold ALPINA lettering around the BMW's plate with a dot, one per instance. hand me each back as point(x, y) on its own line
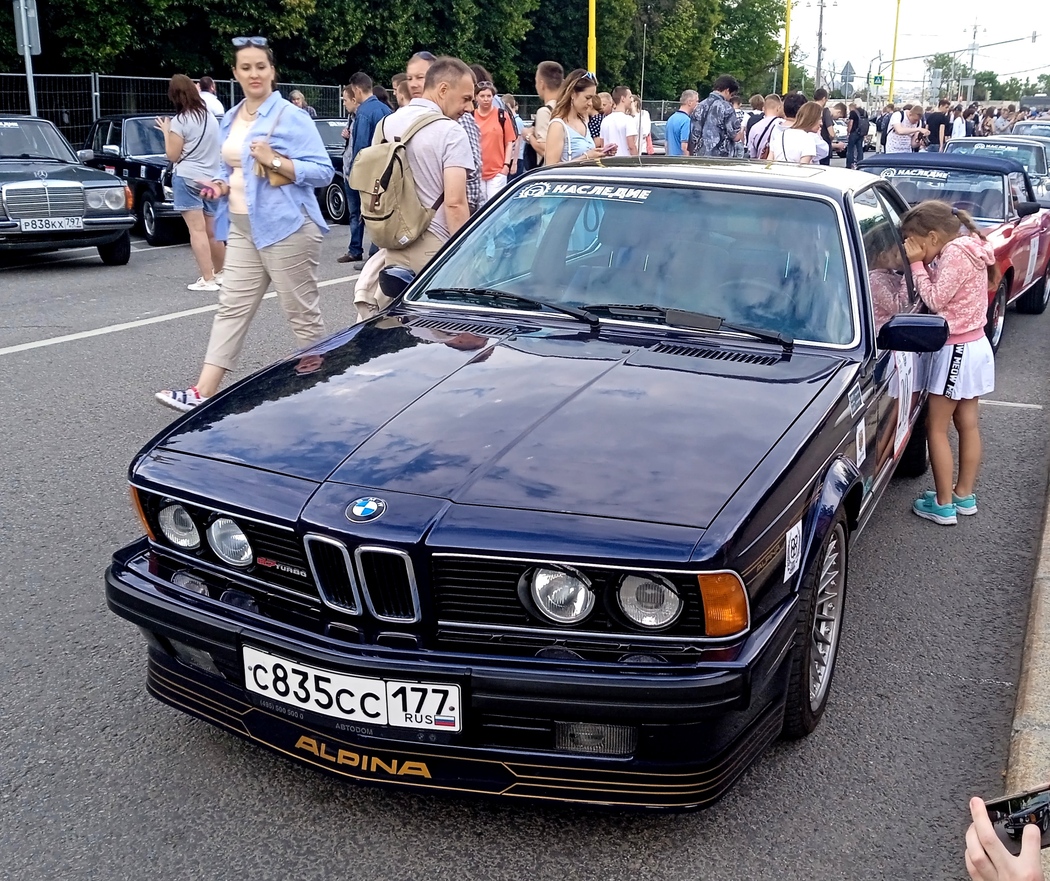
point(698, 730)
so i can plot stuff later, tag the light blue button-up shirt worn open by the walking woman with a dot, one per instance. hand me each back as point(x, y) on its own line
point(277, 213)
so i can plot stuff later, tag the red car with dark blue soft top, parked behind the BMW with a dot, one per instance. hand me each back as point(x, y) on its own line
point(1000, 196)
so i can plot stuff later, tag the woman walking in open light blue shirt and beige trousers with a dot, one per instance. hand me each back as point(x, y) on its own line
point(274, 159)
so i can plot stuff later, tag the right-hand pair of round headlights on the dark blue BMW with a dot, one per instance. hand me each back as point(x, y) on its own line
point(566, 597)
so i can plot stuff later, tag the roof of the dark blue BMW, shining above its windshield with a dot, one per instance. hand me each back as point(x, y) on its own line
point(816, 180)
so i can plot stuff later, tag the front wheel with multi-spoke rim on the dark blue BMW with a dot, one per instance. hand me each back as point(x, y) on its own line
point(822, 597)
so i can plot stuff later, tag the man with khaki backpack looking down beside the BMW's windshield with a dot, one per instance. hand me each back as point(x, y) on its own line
point(413, 208)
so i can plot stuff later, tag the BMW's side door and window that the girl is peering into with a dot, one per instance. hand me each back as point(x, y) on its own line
point(896, 375)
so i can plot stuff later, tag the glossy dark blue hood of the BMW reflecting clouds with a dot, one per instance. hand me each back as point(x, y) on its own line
point(545, 422)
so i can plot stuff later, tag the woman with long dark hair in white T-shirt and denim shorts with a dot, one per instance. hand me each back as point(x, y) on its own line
point(192, 142)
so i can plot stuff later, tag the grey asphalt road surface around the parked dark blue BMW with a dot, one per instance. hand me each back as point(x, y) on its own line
point(98, 781)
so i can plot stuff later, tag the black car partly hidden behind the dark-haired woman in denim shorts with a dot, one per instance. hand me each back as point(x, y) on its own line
point(132, 148)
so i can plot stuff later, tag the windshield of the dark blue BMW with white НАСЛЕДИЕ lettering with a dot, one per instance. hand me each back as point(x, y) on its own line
point(773, 263)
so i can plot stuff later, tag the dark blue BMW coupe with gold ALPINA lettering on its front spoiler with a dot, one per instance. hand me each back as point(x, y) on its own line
point(570, 520)
